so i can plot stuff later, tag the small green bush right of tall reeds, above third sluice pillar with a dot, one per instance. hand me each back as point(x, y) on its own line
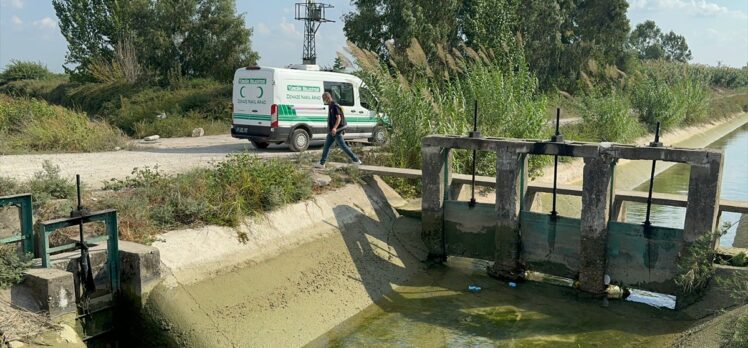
point(609, 118)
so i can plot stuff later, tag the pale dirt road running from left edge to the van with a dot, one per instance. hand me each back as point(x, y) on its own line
point(171, 156)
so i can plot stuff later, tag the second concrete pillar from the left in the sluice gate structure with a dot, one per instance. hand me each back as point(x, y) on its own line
point(508, 196)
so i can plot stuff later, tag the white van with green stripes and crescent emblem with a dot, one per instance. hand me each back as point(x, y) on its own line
point(274, 105)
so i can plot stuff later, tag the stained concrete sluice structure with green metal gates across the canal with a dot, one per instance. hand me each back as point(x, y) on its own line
point(590, 260)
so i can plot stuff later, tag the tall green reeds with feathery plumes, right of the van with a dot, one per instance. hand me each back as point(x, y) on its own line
point(423, 102)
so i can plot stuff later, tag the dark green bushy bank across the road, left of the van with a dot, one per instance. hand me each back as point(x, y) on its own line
point(133, 108)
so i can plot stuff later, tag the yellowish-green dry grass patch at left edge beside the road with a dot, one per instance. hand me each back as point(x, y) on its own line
point(30, 125)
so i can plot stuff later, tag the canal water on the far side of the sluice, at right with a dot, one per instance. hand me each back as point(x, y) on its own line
point(675, 180)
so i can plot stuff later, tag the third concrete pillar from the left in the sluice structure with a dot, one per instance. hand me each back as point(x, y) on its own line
point(594, 225)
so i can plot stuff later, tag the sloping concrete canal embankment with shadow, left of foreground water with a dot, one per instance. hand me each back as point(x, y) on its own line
point(285, 278)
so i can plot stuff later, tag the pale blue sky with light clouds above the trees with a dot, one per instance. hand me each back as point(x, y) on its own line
point(716, 30)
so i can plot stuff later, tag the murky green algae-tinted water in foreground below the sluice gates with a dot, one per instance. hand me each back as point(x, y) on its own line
point(443, 313)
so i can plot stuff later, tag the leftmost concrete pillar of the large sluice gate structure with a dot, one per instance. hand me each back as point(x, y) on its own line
point(435, 180)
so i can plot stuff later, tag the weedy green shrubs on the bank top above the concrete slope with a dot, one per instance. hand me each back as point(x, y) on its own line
point(149, 201)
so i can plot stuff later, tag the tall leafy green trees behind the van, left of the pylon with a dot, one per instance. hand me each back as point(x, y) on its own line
point(196, 38)
